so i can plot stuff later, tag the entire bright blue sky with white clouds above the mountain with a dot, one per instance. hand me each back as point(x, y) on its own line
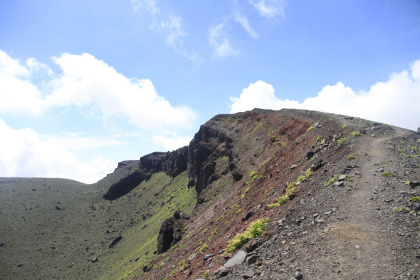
point(86, 84)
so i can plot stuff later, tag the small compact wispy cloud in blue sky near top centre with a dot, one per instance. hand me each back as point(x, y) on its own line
point(220, 42)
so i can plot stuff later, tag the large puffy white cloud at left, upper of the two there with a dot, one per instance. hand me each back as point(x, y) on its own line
point(87, 82)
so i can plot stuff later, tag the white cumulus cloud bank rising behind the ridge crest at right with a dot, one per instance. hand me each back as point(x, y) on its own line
point(394, 101)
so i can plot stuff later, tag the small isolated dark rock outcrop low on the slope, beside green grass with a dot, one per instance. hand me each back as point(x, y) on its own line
point(171, 231)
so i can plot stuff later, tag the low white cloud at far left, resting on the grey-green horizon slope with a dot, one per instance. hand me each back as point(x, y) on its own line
point(25, 153)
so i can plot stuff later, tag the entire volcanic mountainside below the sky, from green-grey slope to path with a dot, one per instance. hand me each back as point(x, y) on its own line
point(286, 194)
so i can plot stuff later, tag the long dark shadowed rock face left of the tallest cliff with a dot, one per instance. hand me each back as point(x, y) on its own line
point(172, 163)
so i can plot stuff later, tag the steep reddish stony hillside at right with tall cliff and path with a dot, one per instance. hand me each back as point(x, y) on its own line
point(334, 192)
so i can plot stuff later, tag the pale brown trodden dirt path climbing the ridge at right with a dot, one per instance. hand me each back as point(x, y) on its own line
point(362, 243)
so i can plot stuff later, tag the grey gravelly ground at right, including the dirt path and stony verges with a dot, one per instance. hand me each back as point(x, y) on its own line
point(352, 231)
